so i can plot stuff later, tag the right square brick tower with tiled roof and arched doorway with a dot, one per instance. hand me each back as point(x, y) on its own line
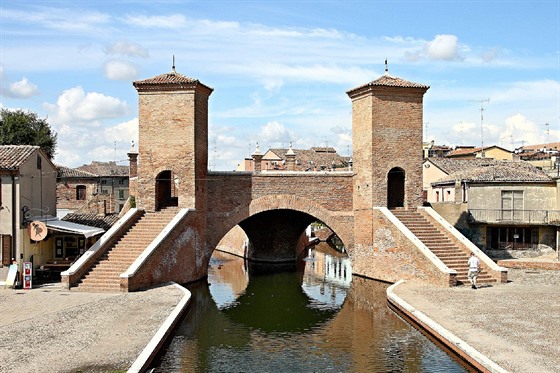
point(387, 143)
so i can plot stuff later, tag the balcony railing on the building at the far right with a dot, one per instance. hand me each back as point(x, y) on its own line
point(516, 217)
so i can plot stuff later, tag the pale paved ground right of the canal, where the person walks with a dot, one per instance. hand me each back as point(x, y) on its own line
point(516, 325)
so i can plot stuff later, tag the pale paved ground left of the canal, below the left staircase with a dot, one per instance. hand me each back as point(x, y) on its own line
point(49, 329)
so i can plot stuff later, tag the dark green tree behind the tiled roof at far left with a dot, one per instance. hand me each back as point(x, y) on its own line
point(18, 127)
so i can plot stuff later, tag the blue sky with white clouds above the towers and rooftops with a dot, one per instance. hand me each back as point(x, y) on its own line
point(280, 69)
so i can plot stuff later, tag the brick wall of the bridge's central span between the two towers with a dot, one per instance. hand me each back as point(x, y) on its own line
point(234, 197)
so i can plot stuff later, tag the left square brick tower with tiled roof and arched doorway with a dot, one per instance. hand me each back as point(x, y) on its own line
point(173, 142)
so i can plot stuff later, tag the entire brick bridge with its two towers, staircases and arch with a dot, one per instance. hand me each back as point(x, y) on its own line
point(196, 208)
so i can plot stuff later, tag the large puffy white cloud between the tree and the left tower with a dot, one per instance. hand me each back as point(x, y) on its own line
point(74, 105)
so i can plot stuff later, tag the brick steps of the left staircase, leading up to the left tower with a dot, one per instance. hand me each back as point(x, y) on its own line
point(103, 276)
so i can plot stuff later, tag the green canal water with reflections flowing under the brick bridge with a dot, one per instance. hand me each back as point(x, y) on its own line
point(312, 317)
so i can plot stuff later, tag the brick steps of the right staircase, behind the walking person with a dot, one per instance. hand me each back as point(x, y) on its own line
point(440, 244)
